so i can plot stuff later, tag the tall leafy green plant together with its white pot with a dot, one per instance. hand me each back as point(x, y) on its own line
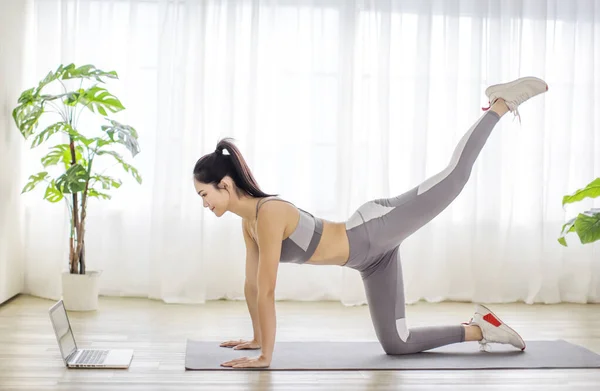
point(73, 159)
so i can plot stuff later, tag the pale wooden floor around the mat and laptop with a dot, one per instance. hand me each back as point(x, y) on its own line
point(30, 359)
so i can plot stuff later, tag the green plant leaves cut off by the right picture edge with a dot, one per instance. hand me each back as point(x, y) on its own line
point(585, 224)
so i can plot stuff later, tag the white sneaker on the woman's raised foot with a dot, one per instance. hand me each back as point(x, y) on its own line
point(515, 92)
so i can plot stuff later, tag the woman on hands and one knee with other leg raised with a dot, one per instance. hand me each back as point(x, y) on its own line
point(368, 242)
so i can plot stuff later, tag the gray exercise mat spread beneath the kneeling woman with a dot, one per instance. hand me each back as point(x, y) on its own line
point(318, 356)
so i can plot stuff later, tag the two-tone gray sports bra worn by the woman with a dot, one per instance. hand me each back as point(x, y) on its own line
point(302, 243)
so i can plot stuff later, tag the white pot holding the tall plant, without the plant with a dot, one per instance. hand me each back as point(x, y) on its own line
point(80, 291)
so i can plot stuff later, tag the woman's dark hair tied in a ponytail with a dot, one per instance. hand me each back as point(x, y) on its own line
point(211, 168)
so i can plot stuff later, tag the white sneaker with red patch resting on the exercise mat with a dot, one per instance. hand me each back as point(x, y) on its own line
point(494, 330)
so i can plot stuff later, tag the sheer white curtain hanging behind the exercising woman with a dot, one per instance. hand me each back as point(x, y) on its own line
point(333, 103)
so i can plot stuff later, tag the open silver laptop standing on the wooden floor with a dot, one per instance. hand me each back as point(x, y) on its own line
point(83, 358)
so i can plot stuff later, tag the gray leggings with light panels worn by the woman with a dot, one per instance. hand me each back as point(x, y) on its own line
point(376, 231)
